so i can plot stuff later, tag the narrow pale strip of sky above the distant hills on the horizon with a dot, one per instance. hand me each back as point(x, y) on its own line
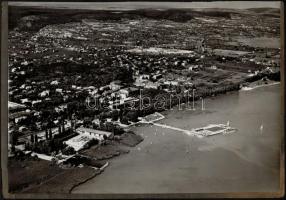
point(152, 5)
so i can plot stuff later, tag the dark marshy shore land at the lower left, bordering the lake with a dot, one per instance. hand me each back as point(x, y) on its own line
point(99, 157)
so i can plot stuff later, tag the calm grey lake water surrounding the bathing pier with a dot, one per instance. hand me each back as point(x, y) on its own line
point(172, 162)
